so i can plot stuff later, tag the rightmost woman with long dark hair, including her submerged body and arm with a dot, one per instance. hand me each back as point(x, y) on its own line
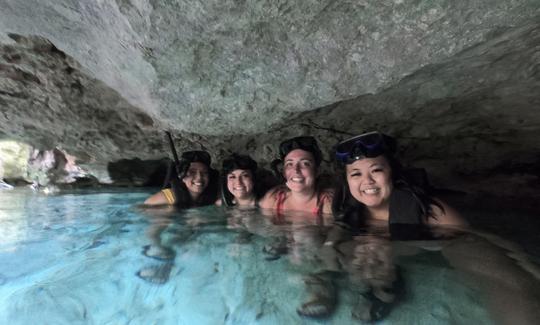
point(377, 203)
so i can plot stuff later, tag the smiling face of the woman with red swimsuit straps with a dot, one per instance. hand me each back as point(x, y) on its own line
point(299, 170)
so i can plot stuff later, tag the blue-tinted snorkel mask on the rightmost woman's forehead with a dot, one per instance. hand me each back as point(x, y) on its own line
point(367, 145)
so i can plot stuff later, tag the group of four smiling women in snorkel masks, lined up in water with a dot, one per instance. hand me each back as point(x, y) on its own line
point(373, 189)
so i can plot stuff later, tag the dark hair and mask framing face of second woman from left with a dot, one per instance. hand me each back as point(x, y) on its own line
point(232, 163)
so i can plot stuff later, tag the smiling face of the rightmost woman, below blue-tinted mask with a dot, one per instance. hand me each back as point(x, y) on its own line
point(370, 181)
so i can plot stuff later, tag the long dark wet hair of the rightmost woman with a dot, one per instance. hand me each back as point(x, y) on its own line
point(347, 209)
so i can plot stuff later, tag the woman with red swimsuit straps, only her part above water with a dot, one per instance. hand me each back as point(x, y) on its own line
point(301, 158)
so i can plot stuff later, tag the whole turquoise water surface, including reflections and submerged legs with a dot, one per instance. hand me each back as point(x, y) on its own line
point(85, 258)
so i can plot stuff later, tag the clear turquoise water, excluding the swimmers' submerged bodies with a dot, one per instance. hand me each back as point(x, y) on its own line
point(73, 259)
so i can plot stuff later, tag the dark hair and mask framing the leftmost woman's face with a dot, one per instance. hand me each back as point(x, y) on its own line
point(183, 198)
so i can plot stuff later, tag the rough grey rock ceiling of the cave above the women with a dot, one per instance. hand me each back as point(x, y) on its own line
point(457, 82)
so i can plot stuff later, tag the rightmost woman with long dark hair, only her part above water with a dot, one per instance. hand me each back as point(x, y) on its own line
point(374, 188)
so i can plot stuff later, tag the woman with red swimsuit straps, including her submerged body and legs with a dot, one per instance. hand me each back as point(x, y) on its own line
point(301, 192)
